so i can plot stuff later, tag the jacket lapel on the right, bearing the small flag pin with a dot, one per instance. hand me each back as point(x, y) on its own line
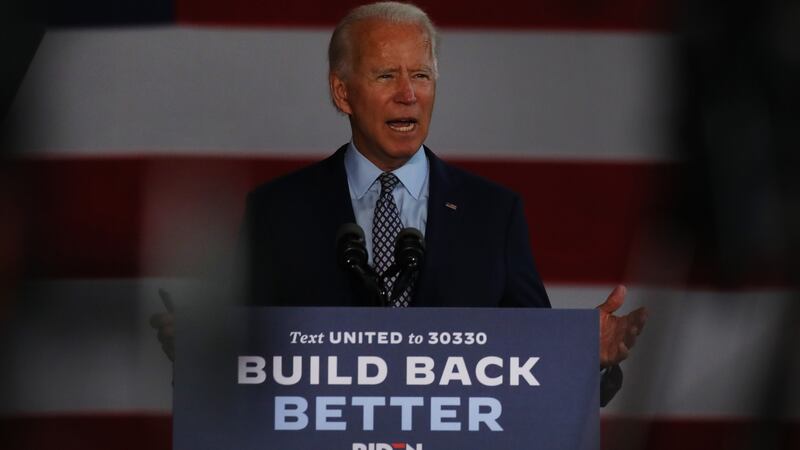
point(444, 215)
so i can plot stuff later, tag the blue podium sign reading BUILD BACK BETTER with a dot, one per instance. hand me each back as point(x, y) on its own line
point(387, 379)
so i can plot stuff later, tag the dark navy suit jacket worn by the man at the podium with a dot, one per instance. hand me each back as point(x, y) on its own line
point(477, 249)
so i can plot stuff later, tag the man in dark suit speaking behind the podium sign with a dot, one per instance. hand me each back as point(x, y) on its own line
point(383, 73)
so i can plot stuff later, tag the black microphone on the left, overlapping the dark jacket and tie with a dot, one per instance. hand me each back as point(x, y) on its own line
point(351, 253)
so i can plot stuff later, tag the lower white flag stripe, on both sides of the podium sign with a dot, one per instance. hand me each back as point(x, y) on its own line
point(85, 346)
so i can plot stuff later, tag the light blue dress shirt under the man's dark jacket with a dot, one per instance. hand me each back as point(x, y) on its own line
point(410, 195)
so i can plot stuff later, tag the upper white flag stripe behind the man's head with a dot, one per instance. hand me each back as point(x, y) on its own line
point(525, 94)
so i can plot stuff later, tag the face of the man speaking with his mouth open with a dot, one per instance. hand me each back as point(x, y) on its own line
point(389, 91)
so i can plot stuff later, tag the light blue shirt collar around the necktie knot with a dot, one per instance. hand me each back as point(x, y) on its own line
point(362, 173)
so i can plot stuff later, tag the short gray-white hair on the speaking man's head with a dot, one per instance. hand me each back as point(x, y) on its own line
point(340, 51)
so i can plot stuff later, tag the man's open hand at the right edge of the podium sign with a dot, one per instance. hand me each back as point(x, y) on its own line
point(618, 333)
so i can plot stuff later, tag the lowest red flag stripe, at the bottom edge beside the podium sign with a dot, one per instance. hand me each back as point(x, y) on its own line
point(154, 432)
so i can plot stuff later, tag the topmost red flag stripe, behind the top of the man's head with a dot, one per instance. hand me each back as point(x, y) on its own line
point(549, 14)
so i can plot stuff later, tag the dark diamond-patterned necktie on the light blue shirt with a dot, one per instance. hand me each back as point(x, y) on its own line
point(385, 228)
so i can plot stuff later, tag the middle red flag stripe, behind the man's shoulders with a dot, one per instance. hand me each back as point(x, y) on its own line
point(87, 217)
